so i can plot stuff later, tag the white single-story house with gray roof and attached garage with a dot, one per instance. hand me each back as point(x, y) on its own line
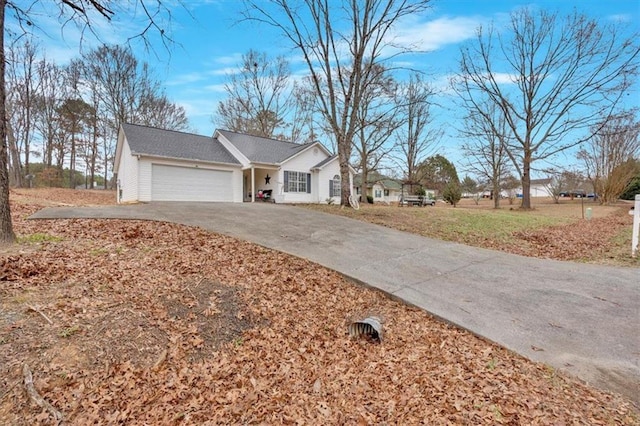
point(163, 165)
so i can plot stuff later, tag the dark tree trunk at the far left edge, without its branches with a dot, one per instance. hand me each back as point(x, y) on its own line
point(6, 227)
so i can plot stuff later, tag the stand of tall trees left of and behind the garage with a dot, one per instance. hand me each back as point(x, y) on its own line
point(65, 119)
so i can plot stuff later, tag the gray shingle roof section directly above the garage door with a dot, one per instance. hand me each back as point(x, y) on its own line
point(172, 144)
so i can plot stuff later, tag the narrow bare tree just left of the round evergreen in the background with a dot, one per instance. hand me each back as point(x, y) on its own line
point(415, 138)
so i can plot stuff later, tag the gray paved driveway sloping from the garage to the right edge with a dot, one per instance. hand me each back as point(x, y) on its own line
point(583, 319)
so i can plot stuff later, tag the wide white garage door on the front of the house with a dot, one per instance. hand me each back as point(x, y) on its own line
point(171, 183)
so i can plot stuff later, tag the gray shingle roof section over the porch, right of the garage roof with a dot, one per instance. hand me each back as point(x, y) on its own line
point(263, 150)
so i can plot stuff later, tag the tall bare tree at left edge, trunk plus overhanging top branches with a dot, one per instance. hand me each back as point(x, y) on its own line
point(83, 15)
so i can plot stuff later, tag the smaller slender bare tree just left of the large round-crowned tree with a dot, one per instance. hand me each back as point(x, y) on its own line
point(485, 147)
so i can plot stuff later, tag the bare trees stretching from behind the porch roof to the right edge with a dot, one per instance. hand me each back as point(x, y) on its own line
point(532, 90)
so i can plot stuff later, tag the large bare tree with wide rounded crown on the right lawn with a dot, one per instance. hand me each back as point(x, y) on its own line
point(553, 78)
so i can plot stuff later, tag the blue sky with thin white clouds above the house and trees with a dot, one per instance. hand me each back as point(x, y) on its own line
point(211, 39)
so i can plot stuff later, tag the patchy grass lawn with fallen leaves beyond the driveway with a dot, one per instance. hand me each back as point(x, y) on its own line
point(549, 230)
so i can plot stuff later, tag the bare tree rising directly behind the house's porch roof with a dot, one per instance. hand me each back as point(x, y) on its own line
point(259, 96)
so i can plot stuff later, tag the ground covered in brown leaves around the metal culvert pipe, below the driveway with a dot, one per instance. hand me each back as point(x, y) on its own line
point(135, 322)
